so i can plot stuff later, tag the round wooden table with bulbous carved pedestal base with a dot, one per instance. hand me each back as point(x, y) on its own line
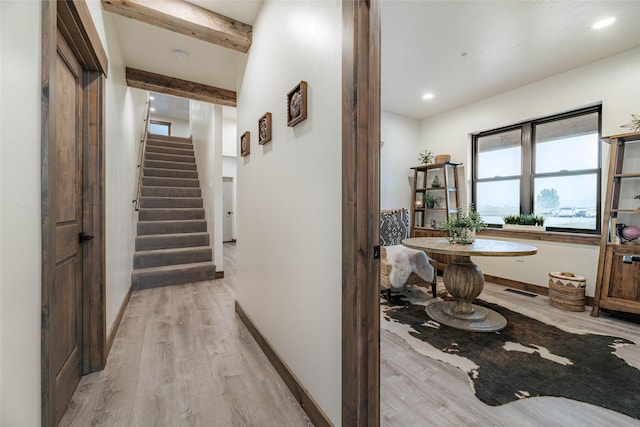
point(464, 281)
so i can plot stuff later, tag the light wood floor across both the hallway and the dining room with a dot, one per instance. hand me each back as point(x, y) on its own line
point(183, 358)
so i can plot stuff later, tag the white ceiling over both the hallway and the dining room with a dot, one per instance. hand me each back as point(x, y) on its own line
point(462, 51)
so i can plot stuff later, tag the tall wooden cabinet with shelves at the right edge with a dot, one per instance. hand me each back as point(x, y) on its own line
point(618, 280)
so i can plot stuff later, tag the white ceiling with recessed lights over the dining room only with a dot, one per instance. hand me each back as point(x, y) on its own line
point(465, 51)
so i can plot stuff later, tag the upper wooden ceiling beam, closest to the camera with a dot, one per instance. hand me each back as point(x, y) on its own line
point(186, 18)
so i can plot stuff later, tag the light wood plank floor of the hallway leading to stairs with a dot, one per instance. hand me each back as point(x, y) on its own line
point(183, 358)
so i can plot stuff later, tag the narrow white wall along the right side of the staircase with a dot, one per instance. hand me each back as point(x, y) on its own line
point(206, 126)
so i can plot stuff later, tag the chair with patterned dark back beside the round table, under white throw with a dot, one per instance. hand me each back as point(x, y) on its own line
point(394, 228)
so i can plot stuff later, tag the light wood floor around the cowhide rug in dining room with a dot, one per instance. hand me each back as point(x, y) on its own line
point(420, 391)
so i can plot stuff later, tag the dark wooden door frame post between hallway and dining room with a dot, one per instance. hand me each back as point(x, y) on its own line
point(360, 213)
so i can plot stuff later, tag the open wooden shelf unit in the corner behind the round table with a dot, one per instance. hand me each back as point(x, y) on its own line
point(440, 183)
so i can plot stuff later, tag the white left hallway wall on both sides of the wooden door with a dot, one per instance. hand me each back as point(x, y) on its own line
point(20, 214)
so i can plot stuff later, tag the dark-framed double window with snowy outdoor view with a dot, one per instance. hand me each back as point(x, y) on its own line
point(548, 167)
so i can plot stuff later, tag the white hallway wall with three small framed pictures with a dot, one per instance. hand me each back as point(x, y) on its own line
point(289, 194)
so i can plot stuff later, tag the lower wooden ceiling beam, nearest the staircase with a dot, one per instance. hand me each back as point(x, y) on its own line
point(177, 87)
